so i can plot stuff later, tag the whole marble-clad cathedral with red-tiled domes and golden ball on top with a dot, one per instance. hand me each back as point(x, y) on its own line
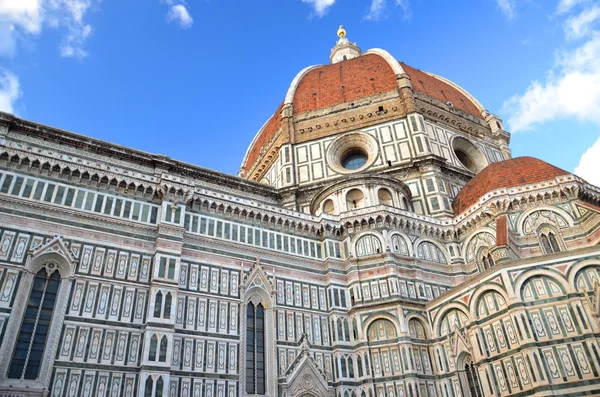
point(379, 241)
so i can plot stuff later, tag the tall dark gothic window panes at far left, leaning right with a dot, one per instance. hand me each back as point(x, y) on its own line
point(29, 347)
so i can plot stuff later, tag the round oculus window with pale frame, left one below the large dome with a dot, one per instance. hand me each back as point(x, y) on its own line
point(352, 152)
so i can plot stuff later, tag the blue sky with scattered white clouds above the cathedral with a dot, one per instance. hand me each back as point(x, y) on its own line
point(195, 79)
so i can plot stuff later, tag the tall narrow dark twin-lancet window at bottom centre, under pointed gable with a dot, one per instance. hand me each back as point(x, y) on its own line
point(255, 349)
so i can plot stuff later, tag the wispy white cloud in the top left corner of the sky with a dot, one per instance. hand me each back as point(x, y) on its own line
point(20, 19)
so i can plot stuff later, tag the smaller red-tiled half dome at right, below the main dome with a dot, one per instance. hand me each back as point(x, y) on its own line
point(506, 174)
